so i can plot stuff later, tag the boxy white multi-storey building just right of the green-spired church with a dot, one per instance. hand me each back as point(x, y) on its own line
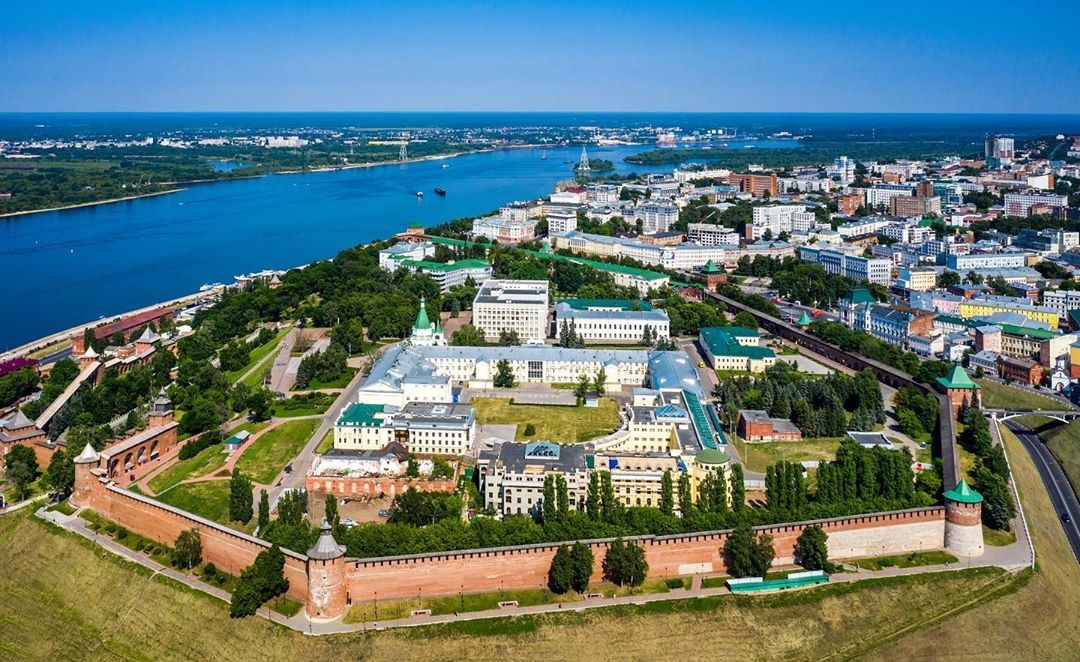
point(512, 306)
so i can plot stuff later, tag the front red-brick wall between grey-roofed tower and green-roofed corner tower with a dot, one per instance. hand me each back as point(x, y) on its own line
point(526, 566)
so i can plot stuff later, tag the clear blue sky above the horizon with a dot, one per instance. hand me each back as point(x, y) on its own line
point(946, 57)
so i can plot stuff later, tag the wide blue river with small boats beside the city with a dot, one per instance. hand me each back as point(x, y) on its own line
point(60, 269)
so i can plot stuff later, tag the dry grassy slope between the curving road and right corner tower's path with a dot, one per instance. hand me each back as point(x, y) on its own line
point(1035, 624)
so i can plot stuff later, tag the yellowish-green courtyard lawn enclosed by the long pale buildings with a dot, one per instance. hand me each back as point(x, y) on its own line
point(552, 423)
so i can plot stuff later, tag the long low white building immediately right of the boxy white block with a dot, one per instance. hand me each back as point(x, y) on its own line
point(612, 321)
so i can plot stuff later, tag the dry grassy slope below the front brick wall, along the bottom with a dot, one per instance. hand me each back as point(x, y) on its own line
point(65, 600)
